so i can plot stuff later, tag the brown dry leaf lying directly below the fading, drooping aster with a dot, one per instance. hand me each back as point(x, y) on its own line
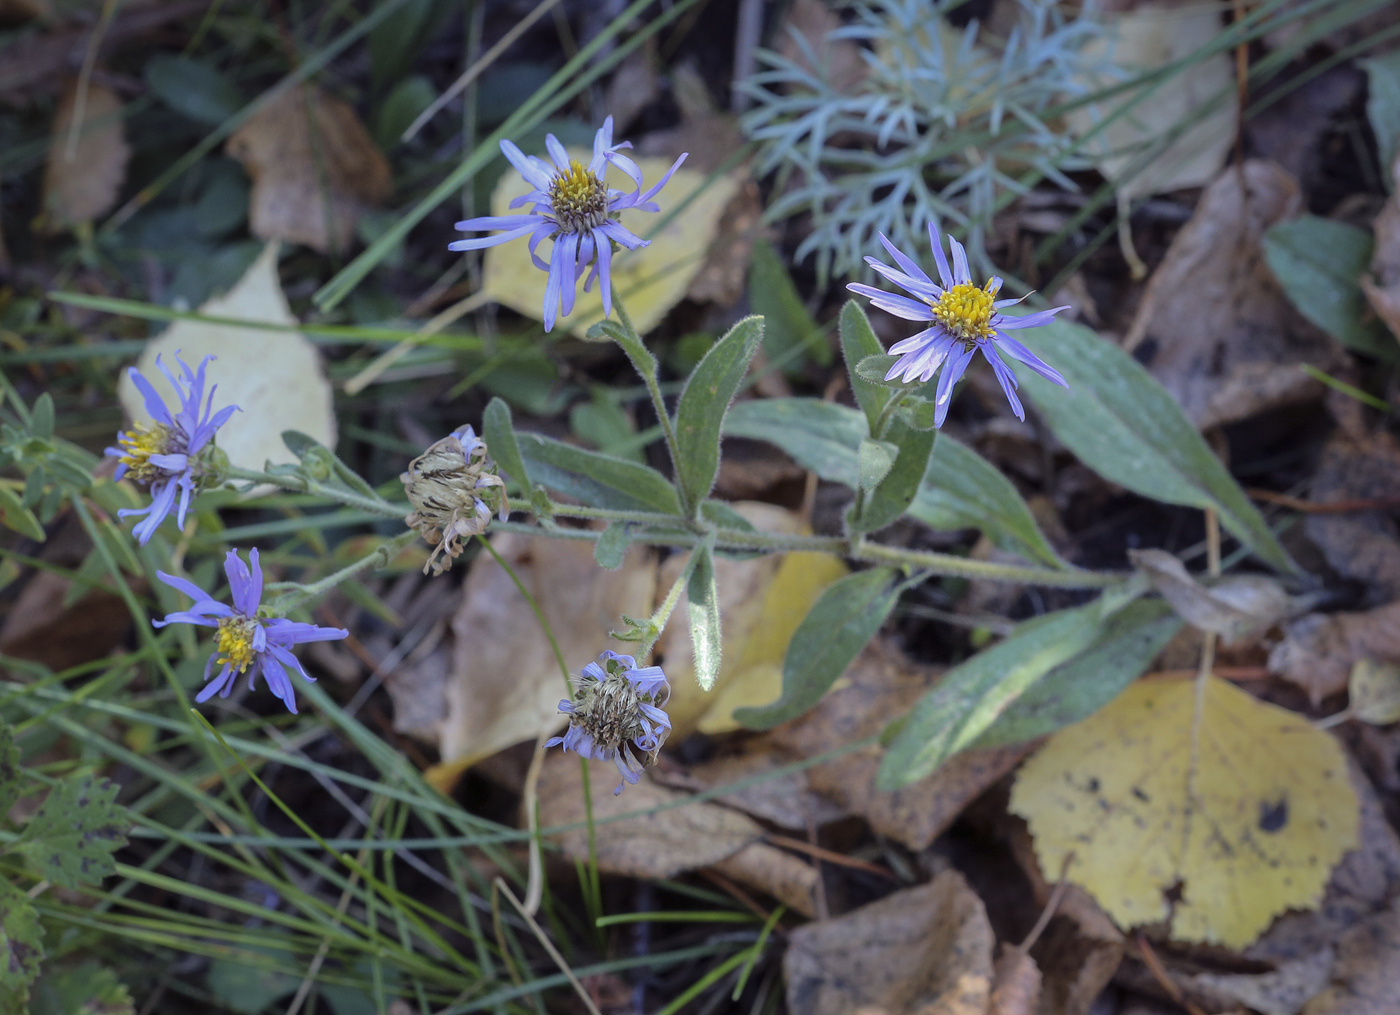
point(666, 843)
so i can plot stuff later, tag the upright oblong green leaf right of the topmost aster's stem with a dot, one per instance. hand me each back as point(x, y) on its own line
point(703, 405)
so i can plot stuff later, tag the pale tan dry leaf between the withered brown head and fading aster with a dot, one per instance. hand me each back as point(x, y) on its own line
point(506, 685)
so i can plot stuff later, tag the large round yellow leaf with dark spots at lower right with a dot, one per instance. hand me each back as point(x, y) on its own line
point(1238, 814)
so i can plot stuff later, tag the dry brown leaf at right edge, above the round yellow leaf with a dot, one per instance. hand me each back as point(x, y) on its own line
point(1319, 650)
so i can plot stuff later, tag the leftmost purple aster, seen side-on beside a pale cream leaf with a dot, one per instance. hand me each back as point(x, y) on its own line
point(174, 454)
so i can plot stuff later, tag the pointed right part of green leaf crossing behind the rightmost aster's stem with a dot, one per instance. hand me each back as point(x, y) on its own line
point(964, 491)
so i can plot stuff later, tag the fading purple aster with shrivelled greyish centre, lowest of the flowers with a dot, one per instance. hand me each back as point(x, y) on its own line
point(618, 705)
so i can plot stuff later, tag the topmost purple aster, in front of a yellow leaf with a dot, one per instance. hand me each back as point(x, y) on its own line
point(577, 211)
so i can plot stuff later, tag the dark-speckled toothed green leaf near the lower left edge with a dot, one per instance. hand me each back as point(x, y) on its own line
point(76, 832)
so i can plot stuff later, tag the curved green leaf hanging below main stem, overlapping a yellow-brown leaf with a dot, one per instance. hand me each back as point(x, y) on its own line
point(836, 629)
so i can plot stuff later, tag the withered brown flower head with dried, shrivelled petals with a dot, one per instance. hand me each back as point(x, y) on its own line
point(454, 491)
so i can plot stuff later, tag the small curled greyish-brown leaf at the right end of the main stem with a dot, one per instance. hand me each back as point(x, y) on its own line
point(1238, 610)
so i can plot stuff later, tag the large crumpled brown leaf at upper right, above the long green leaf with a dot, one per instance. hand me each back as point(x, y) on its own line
point(1249, 358)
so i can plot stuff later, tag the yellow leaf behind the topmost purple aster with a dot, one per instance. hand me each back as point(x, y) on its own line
point(652, 279)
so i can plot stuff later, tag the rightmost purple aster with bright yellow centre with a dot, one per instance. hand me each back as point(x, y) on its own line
point(965, 317)
